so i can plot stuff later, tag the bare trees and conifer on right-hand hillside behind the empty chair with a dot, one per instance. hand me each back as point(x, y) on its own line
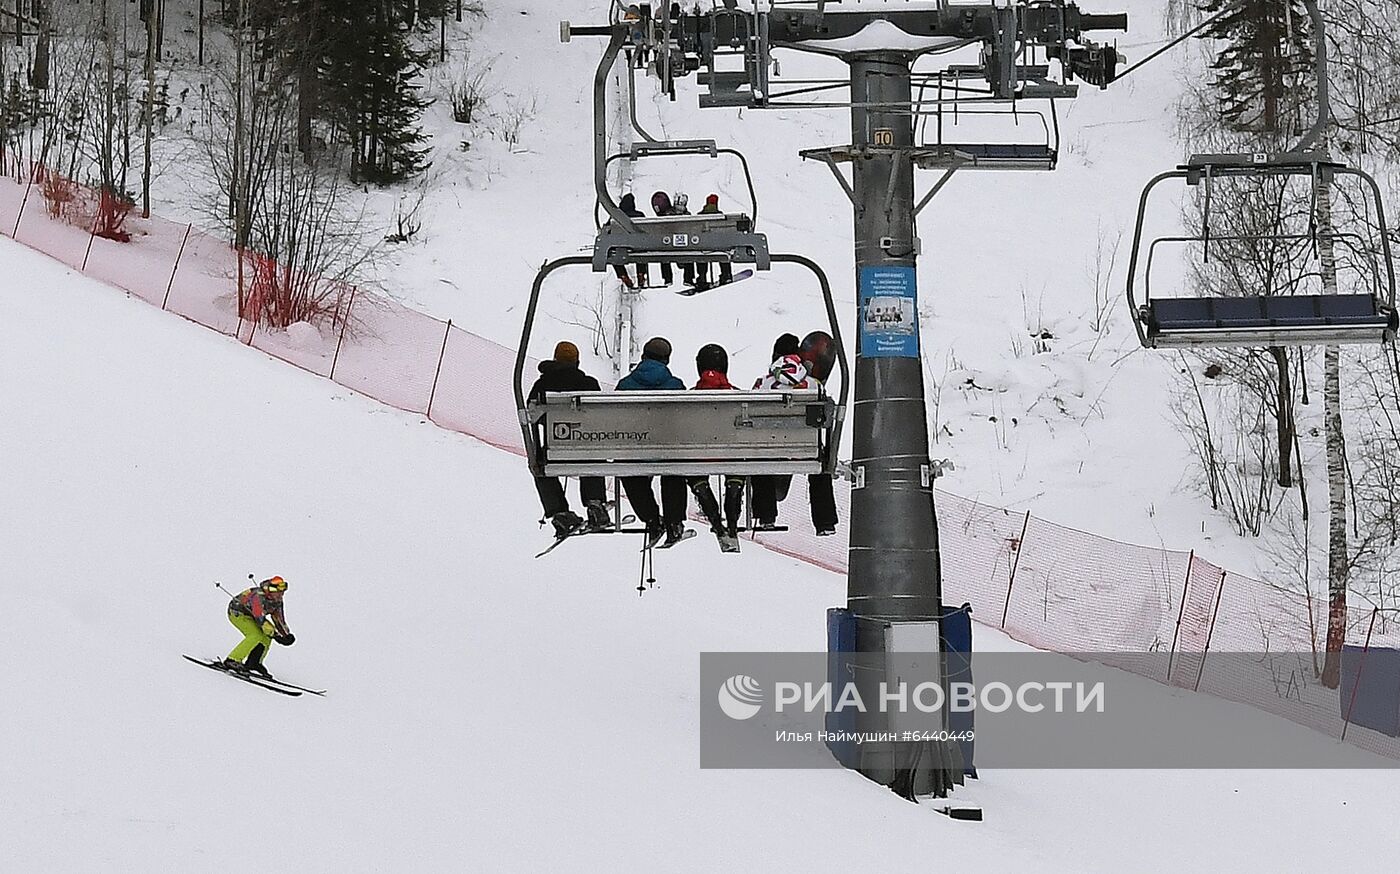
point(1283, 236)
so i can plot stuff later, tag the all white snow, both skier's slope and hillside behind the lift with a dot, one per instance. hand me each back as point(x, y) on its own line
point(491, 712)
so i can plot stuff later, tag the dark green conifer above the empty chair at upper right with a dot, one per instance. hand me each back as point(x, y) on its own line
point(1263, 74)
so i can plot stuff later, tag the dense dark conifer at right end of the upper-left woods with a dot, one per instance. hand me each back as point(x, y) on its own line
point(367, 89)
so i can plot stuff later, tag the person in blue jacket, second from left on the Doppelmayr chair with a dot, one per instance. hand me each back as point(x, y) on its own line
point(653, 373)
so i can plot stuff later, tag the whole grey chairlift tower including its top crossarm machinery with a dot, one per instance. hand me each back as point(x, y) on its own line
point(894, 572)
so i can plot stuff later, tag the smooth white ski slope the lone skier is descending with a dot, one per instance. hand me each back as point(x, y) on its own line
point(486, 712)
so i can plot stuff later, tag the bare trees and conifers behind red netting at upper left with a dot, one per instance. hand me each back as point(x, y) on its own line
point(295, 103)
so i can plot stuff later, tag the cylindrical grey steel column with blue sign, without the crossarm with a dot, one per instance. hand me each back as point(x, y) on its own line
point(894, 554)
